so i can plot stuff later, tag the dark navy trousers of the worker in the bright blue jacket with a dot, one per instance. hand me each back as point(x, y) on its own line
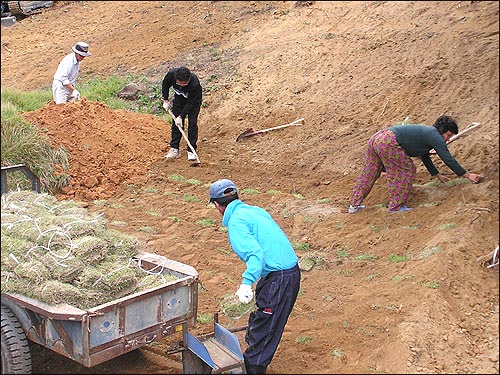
point(275, 296)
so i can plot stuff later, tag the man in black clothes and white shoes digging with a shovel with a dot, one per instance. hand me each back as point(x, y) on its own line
point(186, 102)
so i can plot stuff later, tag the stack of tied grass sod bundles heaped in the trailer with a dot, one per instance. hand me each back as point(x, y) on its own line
point(57, 252)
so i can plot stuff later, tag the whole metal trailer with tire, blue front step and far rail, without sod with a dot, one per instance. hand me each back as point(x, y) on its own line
point(109, 330)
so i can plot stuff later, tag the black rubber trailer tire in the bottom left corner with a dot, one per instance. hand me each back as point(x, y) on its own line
point(16, 357)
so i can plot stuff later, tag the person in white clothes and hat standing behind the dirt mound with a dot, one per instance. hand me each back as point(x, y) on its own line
point(63, 85)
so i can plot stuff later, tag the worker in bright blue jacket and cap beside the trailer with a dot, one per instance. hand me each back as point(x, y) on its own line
point(271, 263)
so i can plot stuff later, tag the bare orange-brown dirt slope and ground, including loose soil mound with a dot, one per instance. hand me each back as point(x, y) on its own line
point(349, 69)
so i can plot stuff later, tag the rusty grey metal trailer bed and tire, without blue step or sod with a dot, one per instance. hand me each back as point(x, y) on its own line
point(103, 332)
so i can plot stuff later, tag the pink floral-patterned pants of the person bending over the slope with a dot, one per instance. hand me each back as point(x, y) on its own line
point(385, 152)
